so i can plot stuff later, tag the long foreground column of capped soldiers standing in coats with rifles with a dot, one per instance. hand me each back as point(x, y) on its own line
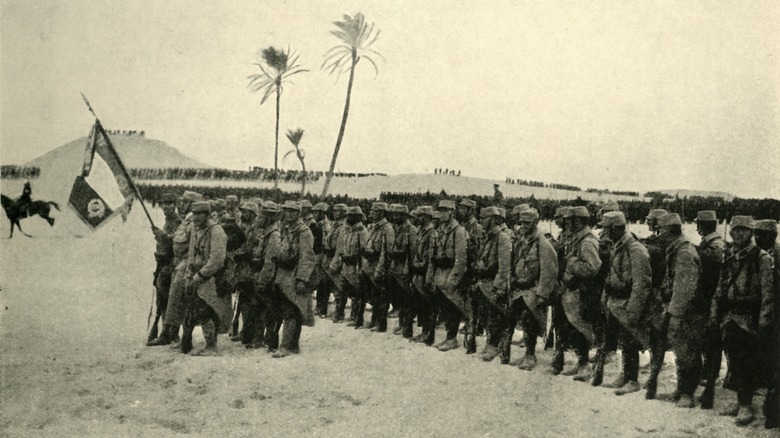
point(443, 265)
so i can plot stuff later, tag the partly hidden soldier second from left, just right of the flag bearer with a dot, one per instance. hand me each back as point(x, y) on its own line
point(175, 311)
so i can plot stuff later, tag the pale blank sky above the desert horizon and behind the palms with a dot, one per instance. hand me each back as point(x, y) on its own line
point(623, 95)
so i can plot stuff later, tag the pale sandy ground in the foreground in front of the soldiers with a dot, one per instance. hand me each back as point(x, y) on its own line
point(72, 363)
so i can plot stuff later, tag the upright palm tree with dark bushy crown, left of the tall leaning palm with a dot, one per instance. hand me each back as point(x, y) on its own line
point(276, 67)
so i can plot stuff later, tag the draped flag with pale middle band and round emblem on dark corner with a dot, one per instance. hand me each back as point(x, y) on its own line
point(104, 188)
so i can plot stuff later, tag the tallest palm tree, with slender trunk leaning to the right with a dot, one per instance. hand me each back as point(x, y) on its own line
point(356, 39)
